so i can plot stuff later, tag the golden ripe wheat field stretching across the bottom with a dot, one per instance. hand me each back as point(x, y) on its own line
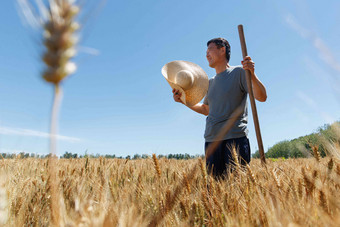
point(163, 192)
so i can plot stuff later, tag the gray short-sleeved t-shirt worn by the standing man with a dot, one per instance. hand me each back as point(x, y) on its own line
point(226, 92)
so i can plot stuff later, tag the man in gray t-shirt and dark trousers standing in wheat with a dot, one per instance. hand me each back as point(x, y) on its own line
point(226, 92)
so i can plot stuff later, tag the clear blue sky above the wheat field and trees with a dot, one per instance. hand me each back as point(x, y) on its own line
point(118, 101)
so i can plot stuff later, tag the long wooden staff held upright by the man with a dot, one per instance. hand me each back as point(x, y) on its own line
point(251, 96)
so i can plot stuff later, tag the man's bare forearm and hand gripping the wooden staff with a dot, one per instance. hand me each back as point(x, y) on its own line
point(259, 89)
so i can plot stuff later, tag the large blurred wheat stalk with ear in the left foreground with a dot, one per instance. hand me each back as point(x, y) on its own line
point(55, 19)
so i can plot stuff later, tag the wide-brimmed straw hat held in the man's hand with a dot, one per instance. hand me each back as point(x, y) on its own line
point(189, 78)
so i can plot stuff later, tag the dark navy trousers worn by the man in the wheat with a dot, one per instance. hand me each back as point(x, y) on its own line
point(221, 161)
